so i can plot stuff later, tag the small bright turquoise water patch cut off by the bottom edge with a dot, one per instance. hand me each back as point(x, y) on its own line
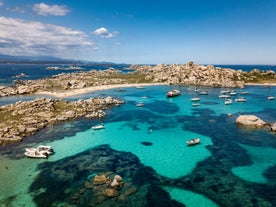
point(189, 198)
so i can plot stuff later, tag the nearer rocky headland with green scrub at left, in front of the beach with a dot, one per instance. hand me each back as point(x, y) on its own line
point(22, 119)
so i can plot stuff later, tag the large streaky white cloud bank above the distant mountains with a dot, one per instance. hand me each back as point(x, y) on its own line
point(20, 37)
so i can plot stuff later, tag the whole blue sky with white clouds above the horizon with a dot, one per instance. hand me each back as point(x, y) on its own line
point(142, 31)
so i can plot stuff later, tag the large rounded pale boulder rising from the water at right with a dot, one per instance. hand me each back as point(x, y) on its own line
point(251, 121)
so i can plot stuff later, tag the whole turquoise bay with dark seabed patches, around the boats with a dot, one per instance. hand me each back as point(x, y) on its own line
point(146, 146)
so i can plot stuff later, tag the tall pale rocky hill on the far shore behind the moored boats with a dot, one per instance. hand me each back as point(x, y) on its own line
point(193, 74)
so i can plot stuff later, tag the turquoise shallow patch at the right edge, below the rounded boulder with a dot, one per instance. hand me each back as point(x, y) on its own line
point(262, 158)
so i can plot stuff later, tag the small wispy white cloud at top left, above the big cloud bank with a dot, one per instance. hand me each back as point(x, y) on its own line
point(45, 9)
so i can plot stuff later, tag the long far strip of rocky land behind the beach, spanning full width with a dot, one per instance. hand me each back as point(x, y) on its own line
point(186, 74)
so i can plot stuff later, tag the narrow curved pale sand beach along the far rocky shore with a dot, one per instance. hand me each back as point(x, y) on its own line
point(75, 92)
